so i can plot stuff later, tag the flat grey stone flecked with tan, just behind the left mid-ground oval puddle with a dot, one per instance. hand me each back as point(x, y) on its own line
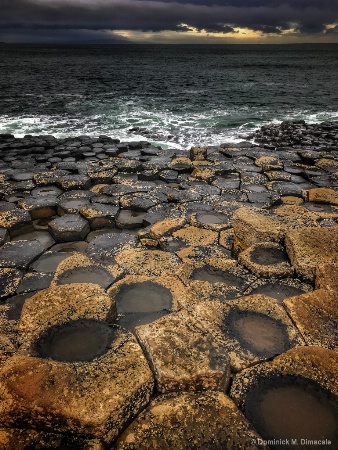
point(105, 248)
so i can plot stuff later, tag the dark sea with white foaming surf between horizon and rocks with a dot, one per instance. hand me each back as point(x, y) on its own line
point(180, 94)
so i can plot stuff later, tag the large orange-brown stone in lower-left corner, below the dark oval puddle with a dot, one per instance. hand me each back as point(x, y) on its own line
point(91, 397)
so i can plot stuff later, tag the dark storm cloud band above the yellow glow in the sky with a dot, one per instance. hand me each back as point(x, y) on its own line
point(269, 17)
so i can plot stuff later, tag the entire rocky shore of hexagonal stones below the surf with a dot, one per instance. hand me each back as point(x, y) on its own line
point(161, 299)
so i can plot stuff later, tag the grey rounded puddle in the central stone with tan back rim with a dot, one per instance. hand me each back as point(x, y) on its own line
point(143, 297)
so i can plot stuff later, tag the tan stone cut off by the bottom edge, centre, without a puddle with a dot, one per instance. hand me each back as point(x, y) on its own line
point(190, 421)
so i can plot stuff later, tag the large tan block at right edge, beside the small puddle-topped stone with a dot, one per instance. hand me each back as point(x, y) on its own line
point(309, 247)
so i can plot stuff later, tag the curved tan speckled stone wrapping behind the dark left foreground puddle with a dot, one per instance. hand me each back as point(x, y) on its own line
point(60, 304)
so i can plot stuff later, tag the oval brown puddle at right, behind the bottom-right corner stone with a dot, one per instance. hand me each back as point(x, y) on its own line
point(260, 334)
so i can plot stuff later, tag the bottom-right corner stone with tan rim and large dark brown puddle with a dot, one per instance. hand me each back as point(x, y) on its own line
point(292, 397)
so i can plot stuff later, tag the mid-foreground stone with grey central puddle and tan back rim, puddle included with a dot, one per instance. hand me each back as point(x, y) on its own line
point(141, 300)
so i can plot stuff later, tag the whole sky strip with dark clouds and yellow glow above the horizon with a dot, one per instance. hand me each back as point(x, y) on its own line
point(169, 21)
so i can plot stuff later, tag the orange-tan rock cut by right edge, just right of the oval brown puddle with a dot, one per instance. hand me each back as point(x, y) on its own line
point(316, 317)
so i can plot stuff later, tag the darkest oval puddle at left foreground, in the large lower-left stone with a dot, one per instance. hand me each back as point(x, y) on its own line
point(79, 340)
